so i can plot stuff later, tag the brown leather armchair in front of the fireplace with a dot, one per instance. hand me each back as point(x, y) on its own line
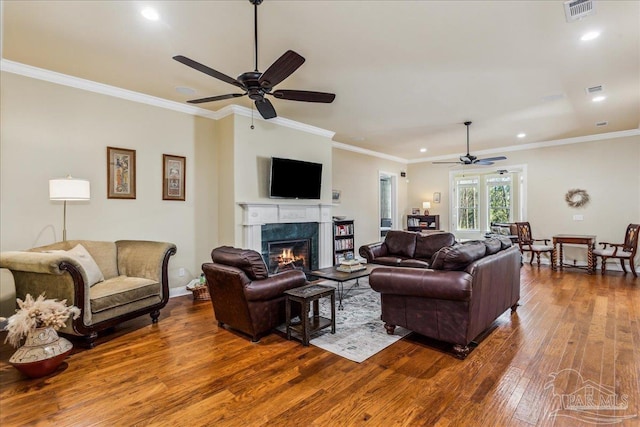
point(243, 295)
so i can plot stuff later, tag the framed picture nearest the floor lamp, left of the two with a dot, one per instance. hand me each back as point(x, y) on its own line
point(121, 173)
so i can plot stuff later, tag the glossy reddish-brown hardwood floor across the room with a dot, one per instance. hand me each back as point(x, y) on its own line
point(184, 371)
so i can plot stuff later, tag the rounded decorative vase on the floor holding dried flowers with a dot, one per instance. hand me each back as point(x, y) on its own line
point(42, 353)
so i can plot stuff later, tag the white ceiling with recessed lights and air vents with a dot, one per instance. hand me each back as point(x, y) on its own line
point(406, 74)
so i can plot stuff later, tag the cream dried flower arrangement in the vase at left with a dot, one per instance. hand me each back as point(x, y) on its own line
point(38, 313)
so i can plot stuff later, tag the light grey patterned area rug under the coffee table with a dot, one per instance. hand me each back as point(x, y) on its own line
point(359, 331)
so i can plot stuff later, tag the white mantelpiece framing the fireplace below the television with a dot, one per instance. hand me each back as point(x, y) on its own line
point(255, 215)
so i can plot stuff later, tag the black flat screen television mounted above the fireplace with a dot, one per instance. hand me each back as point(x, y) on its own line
point(295, 179)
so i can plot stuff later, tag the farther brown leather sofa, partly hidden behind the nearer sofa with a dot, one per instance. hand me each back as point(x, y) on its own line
point(406, 248)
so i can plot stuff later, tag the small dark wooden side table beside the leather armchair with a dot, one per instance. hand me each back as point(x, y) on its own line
point(305, 295)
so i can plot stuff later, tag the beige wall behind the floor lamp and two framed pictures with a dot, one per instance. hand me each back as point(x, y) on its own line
point(50, 130)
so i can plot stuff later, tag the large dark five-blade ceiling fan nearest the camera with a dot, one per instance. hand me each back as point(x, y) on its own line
point(255, 84)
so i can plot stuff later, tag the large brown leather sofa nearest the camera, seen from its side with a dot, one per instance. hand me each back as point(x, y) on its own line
point(468, 286)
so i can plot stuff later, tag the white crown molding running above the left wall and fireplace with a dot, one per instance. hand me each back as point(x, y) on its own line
point(91, 86)
